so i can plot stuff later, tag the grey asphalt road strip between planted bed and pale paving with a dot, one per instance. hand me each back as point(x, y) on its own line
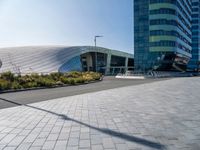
point(33, 96)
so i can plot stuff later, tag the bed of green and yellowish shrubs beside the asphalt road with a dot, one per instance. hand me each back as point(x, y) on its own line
point(9, 81)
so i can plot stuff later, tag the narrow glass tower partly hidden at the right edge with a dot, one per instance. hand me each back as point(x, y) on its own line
point(193, 64)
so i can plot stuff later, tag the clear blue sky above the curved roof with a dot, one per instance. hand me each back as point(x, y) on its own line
point(67, 22)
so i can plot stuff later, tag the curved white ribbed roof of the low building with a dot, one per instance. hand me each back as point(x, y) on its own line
point(44, 58)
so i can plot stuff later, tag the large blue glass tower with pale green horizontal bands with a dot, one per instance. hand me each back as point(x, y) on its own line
point(162, 34)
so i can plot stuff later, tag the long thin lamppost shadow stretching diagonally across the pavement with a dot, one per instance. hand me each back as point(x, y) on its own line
point(124, 136)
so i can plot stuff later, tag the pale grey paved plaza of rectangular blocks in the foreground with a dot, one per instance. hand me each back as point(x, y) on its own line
point(158, 115)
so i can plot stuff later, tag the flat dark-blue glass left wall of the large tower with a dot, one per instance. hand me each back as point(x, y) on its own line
point(141, 34)
